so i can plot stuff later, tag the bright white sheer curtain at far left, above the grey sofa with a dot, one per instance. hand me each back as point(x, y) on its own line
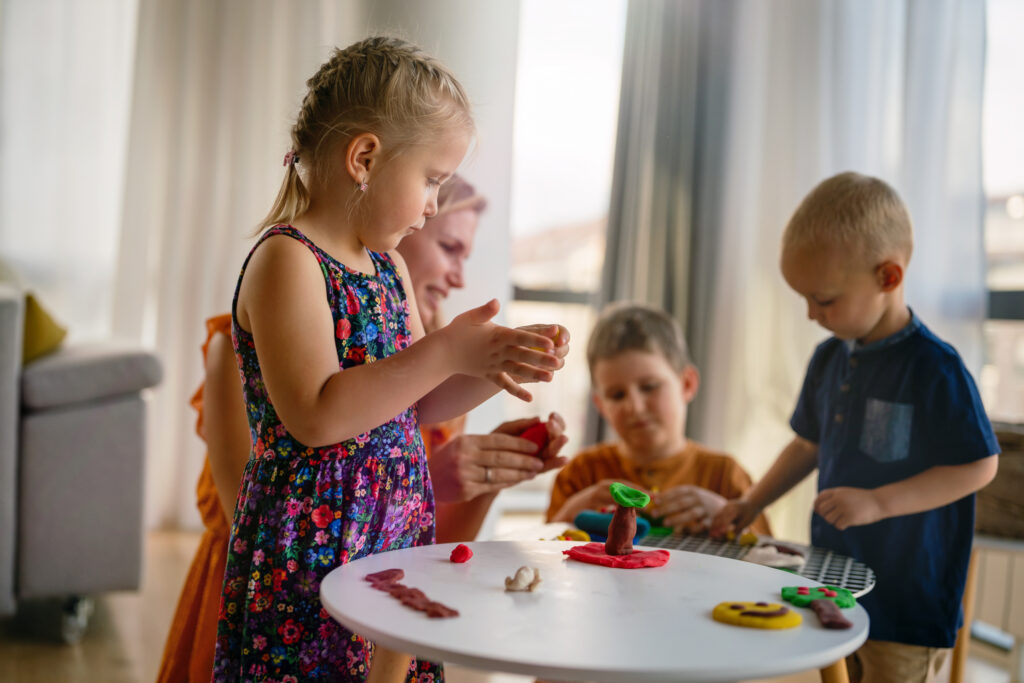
point(66, 70)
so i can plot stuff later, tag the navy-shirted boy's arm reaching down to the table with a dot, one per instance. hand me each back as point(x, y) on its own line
point(798, 459)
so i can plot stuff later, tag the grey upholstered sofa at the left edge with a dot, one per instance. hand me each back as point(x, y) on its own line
point(72, 454)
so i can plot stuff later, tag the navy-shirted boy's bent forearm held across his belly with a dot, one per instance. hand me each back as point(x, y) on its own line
point(844, 507)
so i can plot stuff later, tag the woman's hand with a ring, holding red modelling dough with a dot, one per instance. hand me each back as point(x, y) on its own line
point(472, 465)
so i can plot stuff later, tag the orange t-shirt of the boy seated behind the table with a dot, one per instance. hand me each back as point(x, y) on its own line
point(696, 465)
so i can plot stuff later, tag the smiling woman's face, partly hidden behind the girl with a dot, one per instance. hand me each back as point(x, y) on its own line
point(436, 257)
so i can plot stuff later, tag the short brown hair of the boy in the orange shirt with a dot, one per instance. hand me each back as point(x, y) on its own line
point(634, 327)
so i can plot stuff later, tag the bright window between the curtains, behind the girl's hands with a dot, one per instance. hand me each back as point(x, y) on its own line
point(564, 155)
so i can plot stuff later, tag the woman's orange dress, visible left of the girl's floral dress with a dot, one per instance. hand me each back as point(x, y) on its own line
point(189, 652)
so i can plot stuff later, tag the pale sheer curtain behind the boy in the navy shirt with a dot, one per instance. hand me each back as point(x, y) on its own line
point(789, 94)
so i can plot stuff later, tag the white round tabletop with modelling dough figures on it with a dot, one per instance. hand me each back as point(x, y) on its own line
point(586, 622)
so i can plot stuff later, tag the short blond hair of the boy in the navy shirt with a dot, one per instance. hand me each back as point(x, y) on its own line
point(854, 212)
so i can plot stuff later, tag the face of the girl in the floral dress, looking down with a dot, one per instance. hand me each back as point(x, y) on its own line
point(404, 194)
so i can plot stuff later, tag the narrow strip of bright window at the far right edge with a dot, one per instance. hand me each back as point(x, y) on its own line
point(1002, 378)
